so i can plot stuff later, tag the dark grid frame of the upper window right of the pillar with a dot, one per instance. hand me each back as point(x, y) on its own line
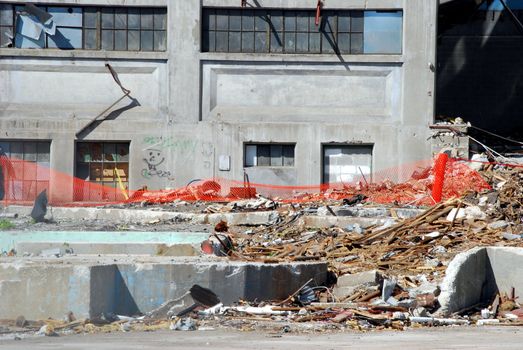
point(317, 36)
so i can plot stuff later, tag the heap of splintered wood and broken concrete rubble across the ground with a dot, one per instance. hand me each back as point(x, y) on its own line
point(386, 273)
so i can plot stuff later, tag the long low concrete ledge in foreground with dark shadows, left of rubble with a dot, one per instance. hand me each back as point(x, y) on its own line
point(39, 288)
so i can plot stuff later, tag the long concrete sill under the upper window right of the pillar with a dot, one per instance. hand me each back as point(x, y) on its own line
point(229, 56)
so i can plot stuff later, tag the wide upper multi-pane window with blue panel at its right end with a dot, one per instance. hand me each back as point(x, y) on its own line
point(290, 31)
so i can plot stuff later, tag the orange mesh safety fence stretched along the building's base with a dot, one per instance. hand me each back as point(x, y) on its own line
point(408, 184)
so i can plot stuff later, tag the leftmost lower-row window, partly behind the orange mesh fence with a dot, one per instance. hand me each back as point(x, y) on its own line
point(30, 161)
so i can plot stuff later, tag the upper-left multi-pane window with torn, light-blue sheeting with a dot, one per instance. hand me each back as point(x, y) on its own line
point(89, 28)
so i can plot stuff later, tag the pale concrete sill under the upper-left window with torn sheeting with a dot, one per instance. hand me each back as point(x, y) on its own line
point(56, 53)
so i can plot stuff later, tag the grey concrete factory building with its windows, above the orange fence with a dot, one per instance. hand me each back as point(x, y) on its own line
point(168, 91)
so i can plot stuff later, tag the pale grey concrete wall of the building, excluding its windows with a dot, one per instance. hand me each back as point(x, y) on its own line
point(195, 107)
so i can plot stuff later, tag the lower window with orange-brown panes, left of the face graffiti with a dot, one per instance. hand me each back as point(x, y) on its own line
point(100, 163)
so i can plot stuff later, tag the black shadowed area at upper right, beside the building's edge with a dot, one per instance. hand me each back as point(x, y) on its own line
point(480, 75)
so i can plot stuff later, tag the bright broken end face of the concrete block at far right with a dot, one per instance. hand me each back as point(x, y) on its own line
point(454, 296)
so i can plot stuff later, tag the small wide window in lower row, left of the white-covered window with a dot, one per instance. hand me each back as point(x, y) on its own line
point(269, 154)
